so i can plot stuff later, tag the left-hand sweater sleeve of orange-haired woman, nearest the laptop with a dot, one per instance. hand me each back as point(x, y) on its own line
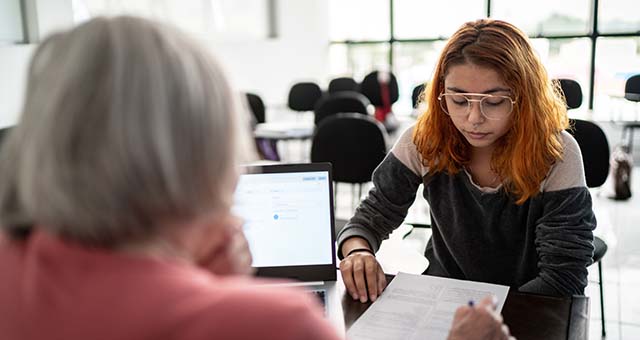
point(387, 203)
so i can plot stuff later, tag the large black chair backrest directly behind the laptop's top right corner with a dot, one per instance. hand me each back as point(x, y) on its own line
point(354, 144)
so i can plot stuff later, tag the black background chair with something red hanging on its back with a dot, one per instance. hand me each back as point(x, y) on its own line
point(381, 88)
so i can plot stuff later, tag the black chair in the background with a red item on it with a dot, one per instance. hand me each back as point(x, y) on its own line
point(372, 89)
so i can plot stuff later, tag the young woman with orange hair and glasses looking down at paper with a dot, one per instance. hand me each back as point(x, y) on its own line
point(504, 181)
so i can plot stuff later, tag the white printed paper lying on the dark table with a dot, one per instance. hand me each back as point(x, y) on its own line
point(420, 307)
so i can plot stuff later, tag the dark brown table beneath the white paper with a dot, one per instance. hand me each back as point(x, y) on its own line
point(528, 316)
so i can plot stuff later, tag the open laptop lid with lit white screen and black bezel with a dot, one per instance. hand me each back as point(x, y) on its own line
point(289, 220)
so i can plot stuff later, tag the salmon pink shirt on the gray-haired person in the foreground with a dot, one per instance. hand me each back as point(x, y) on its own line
point(52, 289)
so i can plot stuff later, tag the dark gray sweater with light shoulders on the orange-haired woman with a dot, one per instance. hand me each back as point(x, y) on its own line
point(542, 246)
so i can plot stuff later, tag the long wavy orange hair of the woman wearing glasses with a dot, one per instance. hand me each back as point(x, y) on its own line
point(525, 154)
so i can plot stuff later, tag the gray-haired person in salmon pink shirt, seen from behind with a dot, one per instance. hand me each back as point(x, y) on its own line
point(115, 194)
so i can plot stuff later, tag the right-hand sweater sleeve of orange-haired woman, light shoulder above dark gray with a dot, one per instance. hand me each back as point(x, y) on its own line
point(564, 232)
